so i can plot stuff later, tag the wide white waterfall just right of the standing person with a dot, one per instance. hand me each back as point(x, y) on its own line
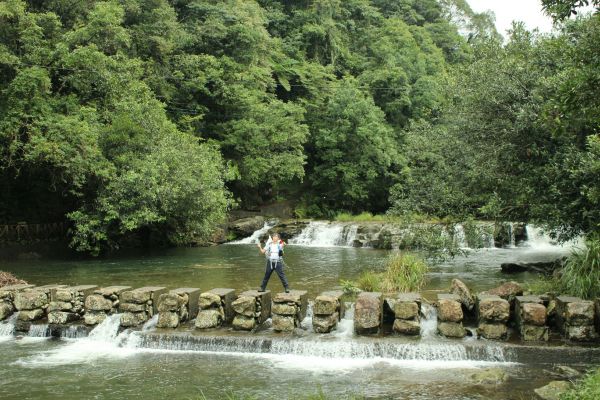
point(324, 234)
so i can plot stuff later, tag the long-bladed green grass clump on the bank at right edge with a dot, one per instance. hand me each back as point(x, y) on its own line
point(581, 273)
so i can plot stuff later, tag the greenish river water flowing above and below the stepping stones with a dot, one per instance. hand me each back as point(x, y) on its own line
point(152, 363)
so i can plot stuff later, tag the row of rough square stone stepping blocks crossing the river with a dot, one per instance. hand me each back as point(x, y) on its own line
point(533, 319)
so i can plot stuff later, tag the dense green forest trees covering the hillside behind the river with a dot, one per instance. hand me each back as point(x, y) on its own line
point(156, 116)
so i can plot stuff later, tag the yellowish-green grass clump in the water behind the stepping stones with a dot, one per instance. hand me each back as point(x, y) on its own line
point(403, 272)
